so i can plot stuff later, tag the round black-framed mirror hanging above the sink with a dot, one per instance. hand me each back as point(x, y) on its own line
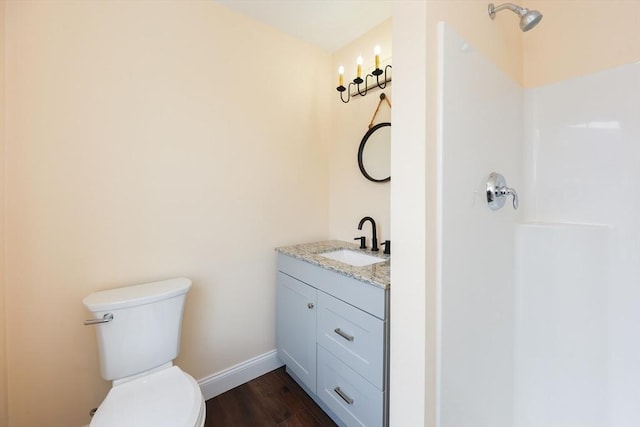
point(374, 153)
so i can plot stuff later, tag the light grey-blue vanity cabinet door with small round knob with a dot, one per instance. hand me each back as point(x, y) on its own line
point(296, 328)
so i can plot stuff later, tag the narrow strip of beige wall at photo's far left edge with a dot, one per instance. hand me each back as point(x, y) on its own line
point(3, 354)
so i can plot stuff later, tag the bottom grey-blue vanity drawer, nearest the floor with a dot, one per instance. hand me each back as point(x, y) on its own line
point(352, 398)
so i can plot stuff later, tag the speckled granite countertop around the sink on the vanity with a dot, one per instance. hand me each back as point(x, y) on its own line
point(375, 274)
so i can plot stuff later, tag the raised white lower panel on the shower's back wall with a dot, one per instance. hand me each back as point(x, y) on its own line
point(561, 325)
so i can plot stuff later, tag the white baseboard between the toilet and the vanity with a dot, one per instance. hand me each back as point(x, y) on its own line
point(239, 374)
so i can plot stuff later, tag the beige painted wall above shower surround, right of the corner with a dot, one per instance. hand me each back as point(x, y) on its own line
point(576, 38)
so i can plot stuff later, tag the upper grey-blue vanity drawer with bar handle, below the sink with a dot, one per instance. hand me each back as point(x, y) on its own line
point(353, 336)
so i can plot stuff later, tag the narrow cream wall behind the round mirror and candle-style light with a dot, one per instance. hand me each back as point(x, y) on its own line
point(352, 196)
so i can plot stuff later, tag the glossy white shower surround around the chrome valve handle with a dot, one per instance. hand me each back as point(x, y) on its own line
point(539, 308)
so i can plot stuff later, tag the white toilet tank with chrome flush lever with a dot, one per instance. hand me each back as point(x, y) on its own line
point(146, 326)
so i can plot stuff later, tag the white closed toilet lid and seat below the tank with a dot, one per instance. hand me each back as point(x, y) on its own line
point(167, 398)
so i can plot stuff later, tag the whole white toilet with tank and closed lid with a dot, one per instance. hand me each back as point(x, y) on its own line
point(138, 329)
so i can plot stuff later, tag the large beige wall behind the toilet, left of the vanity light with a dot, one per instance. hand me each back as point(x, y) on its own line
point(147, 140)
